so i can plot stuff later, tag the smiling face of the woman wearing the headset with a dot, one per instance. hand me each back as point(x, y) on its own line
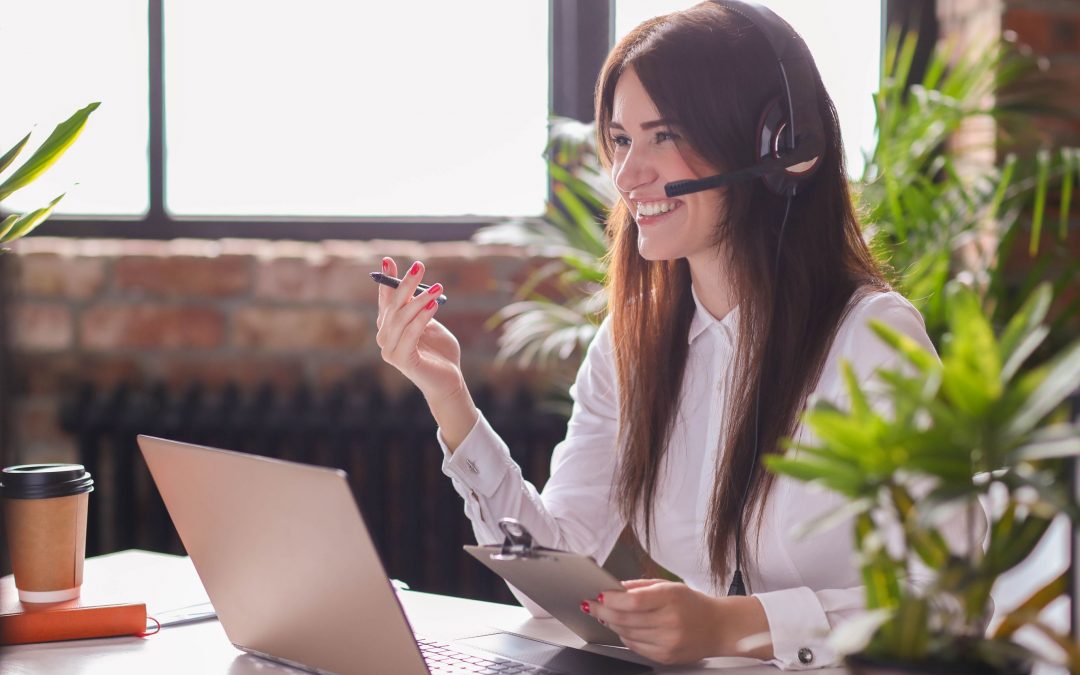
point(649, 155)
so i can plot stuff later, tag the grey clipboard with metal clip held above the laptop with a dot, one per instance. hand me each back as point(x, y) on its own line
point(556, 580)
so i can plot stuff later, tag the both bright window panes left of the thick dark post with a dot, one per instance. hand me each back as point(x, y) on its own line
point(321, 109)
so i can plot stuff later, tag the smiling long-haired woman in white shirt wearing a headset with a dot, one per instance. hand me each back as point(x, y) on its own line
point(728, 309)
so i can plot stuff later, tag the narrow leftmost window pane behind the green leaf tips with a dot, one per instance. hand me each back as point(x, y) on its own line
point(59, 58)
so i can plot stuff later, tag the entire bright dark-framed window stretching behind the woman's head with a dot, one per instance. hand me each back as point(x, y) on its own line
point(422, 120)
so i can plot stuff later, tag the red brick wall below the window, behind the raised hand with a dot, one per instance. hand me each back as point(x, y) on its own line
point(219, 312)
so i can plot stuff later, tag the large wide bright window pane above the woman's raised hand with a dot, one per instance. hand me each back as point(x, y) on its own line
point(339, 109)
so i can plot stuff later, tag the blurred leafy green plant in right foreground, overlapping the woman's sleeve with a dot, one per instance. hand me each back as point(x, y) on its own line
point(938, 438)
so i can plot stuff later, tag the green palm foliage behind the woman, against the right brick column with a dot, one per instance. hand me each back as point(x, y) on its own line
point(933, 213)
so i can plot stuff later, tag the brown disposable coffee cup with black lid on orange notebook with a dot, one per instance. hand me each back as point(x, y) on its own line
point(46, 517)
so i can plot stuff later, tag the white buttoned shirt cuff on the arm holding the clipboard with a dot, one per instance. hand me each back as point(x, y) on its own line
point(799, 628)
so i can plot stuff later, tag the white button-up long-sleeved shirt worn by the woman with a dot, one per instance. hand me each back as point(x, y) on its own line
point(806, 586)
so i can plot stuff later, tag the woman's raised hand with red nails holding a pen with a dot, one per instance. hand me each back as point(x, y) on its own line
point(425, 352)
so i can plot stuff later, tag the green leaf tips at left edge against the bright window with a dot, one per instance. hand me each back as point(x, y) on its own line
point(16, 226)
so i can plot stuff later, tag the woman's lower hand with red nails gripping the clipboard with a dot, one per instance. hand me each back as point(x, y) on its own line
point(671, 624)
